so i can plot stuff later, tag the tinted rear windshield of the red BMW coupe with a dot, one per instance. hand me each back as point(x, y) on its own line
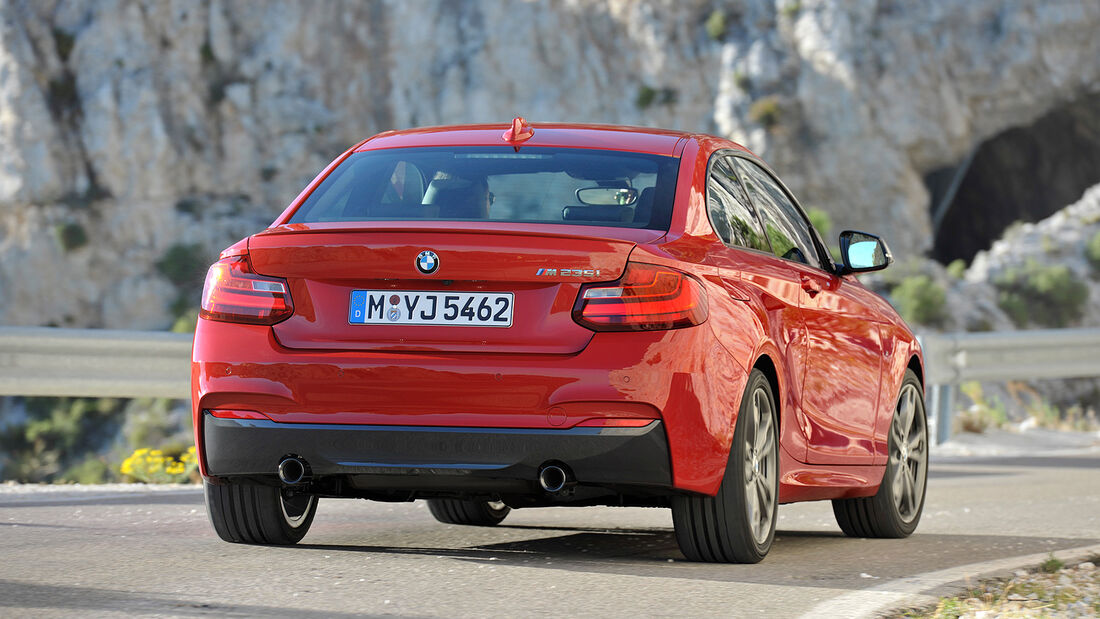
point(569, 186)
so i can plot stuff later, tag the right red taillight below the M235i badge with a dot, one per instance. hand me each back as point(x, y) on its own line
point(646, 299)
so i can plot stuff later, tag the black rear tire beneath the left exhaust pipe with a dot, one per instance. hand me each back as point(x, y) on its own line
point(259, 515)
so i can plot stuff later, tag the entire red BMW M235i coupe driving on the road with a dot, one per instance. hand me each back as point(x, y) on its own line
point(494, 317)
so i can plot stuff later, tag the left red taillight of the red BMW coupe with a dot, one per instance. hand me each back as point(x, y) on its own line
point(234, 294)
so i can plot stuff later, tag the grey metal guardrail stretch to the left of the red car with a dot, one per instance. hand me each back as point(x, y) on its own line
point(94, 363)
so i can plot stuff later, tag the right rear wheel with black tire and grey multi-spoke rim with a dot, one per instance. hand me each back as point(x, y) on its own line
point(732, 527)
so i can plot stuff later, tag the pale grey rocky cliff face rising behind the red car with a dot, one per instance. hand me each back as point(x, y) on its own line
point(134, 130)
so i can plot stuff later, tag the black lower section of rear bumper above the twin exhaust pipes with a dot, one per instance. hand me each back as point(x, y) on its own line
point(441, 459)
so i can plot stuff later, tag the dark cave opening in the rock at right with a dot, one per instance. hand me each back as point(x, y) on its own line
point(1024, 174)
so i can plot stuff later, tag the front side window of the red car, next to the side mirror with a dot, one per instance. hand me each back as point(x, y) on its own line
point(785, 226)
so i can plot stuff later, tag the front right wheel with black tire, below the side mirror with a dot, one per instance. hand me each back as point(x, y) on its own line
point(896, 510)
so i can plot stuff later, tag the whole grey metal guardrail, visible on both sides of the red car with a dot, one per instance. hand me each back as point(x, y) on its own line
point(102, 363)
